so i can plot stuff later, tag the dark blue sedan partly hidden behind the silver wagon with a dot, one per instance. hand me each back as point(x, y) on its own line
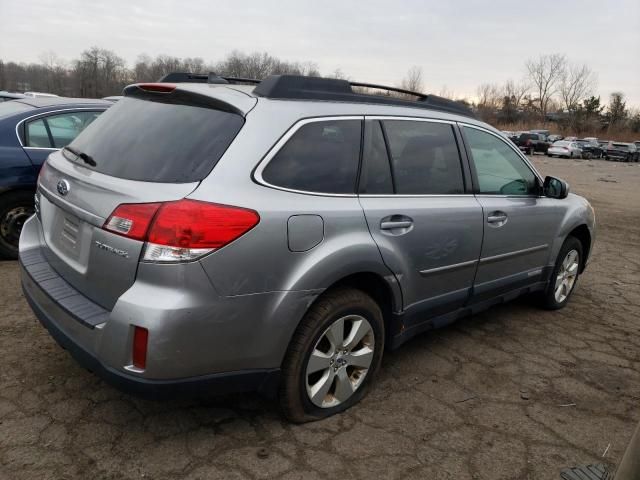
point(30, 129)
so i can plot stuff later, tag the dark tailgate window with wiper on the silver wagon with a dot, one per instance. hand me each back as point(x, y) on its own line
point(158, 142)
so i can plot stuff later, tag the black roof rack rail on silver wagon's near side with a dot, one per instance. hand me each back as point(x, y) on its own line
point(298, 87)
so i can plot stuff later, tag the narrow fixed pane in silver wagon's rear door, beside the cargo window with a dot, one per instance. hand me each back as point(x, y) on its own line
point(376, 173)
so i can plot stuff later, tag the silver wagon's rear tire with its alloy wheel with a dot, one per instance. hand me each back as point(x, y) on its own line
point(349, 306)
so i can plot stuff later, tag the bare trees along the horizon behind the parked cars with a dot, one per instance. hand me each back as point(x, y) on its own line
point(552, 88)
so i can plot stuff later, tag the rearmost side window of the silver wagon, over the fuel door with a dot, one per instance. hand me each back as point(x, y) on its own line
point(319, 157)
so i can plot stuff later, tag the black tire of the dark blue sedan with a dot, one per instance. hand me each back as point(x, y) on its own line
point(15, 208)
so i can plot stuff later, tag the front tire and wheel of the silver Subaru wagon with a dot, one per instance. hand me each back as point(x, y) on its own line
point(550, 298)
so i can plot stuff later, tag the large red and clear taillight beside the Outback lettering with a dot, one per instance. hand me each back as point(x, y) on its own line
point(183, 230)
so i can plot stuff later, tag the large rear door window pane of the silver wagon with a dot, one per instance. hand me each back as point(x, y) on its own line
point(424, 157)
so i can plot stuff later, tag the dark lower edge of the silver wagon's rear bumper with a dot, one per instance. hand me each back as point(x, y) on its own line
point(53, 316)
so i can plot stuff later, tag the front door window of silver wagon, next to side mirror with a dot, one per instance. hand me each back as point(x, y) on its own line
point(500, 170)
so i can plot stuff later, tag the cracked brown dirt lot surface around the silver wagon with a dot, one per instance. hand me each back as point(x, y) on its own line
point(513, 393)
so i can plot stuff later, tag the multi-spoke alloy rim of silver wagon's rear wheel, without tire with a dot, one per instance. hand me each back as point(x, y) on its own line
point(340, 361)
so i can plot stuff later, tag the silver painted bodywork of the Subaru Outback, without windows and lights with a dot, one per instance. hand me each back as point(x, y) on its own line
point(237, 308)
